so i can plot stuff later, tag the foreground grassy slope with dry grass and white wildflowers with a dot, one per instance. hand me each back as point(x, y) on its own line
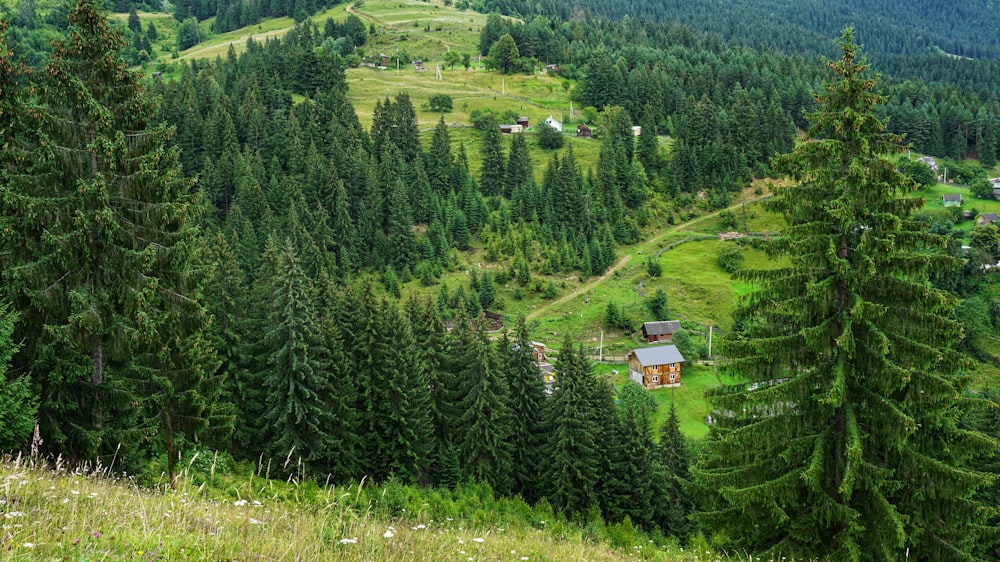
point(65, 514)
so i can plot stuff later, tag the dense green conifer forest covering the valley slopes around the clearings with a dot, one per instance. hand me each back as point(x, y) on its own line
point(216, 260)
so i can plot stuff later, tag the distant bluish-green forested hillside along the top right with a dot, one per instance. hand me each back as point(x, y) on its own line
point(944, 42)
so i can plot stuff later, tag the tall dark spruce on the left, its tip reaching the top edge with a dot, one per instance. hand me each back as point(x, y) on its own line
point(99, 206)
